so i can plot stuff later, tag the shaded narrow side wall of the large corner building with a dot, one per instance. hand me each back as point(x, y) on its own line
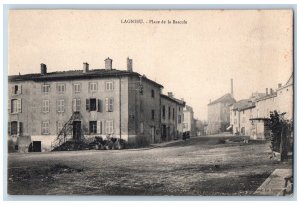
point(142, 128)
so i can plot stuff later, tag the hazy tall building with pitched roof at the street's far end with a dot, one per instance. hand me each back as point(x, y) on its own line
point(219, 114)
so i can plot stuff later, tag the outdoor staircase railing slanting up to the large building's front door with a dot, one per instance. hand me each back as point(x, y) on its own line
point(66, 133)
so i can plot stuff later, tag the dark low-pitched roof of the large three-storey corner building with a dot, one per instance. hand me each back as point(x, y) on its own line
point(77, 74)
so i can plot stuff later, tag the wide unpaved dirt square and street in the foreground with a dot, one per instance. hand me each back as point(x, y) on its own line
point(200, 166)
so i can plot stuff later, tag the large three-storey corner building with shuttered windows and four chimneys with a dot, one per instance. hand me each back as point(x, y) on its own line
point(98, 102)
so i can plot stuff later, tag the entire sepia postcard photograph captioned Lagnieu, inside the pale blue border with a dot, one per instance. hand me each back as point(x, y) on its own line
point(150, 102)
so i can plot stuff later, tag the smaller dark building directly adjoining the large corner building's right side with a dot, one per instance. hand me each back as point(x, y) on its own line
point(171, 117)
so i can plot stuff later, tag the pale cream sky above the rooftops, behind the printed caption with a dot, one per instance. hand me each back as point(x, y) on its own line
point(195, 60)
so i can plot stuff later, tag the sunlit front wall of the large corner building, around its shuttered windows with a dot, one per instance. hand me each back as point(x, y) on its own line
point(32, 115)
